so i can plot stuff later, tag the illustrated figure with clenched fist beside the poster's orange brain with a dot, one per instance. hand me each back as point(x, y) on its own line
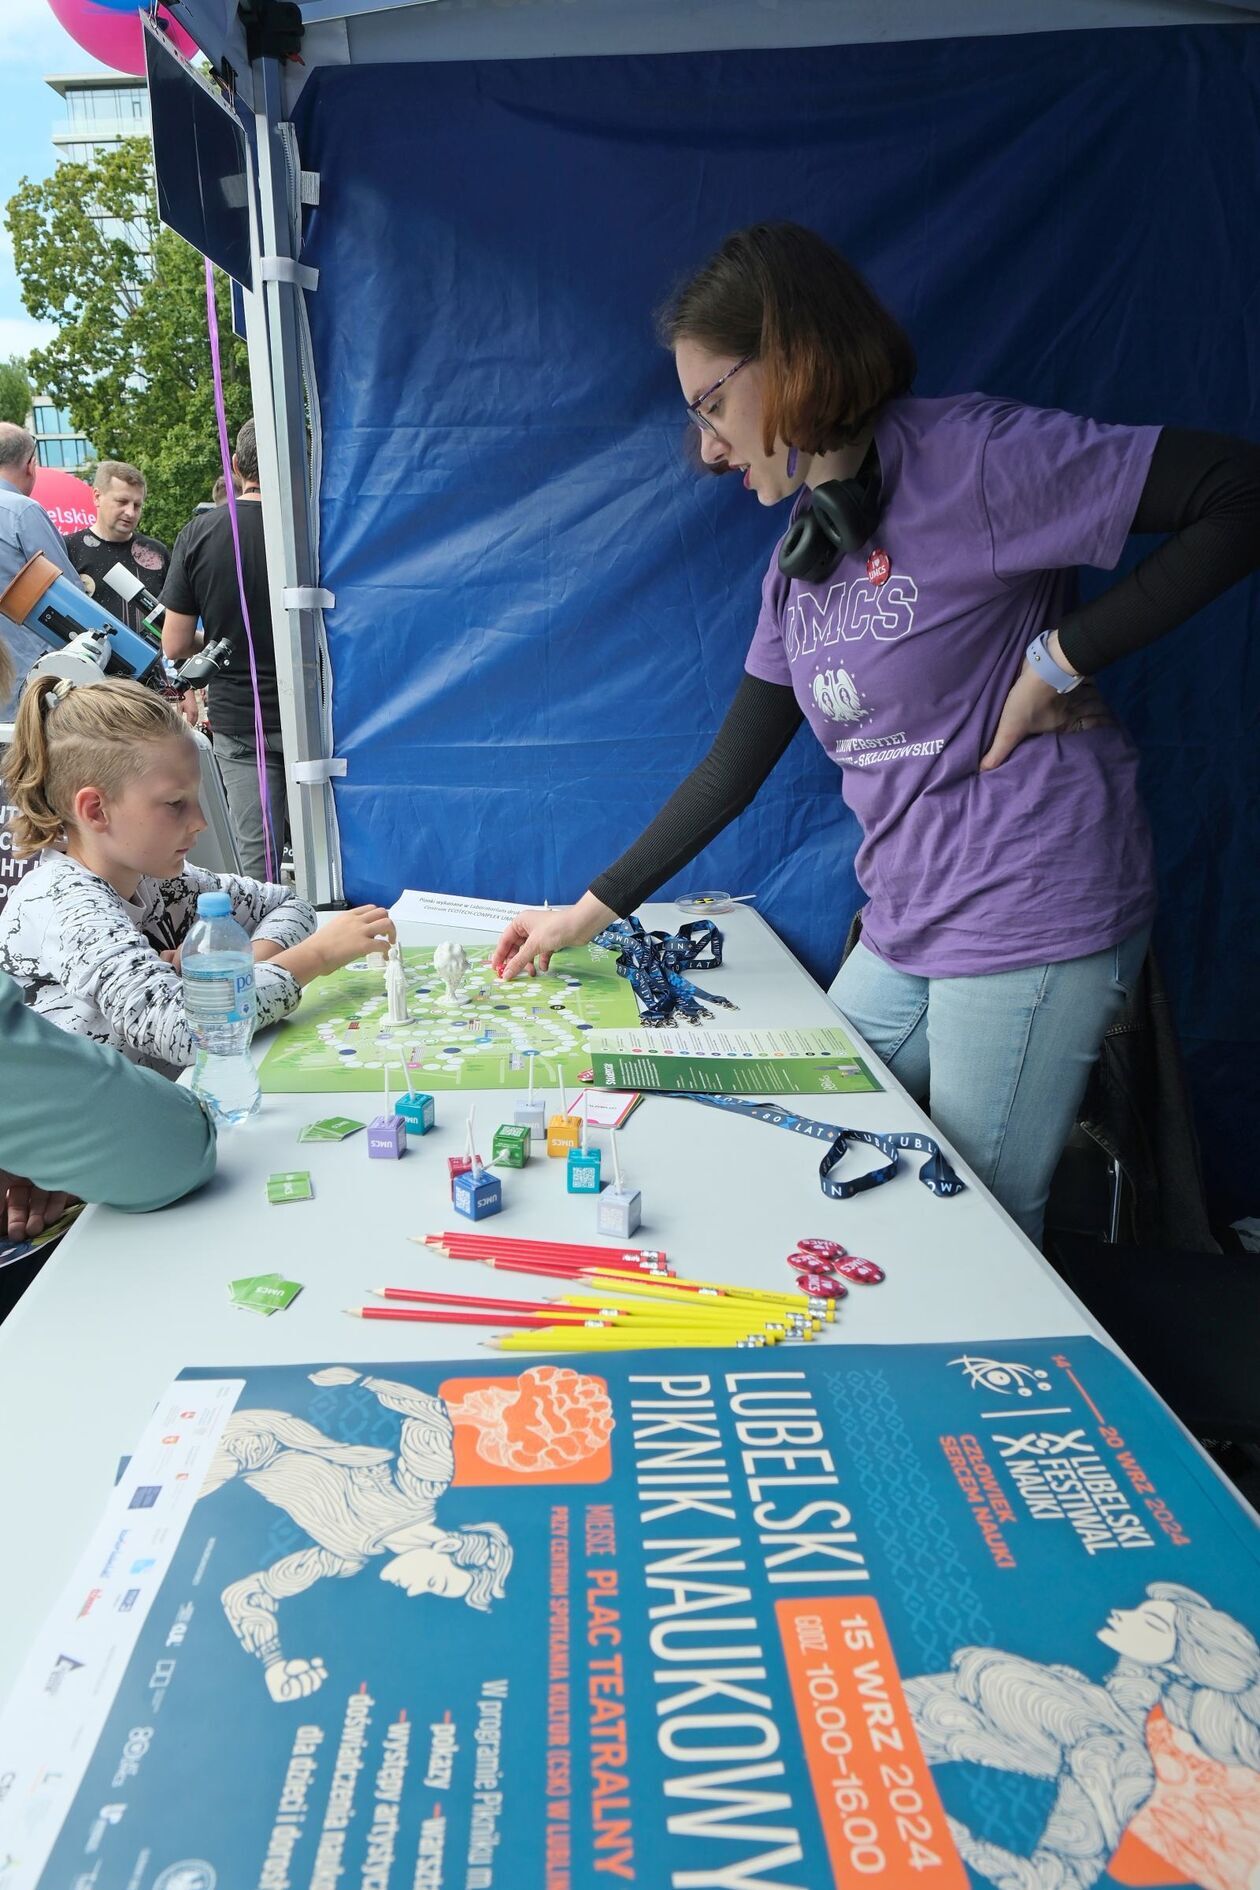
point(356, 1503)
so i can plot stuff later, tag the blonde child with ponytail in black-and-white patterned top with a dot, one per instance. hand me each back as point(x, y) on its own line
point(107, 782)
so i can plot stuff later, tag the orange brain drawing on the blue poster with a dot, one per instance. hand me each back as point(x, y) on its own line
point(553, 1420)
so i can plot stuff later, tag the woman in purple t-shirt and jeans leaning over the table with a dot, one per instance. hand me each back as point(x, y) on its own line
point(915, 615)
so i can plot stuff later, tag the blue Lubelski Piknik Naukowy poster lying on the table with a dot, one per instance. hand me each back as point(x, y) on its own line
point(872, 1615)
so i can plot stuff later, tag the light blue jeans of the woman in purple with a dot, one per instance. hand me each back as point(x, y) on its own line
point(1002, 1061)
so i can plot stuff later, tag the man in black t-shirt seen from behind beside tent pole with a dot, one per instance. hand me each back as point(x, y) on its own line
point(203, 583)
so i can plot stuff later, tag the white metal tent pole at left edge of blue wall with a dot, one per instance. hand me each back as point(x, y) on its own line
point(281, 424)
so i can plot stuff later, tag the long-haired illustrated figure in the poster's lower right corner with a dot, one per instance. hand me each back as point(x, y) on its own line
point(1157, 1766)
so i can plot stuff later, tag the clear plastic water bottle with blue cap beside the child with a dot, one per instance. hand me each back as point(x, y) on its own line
point(218, 995)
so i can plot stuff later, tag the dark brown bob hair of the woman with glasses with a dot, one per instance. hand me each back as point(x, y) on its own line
point(830, 352)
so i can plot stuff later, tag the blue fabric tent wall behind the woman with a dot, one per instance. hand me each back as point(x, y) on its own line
point(541, 611)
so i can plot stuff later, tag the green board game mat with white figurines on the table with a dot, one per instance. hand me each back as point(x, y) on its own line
point(339, 1040)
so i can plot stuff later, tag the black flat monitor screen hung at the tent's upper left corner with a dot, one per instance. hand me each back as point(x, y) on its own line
point(199, 156)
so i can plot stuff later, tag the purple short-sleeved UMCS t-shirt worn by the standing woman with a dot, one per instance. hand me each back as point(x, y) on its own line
point(989, 507)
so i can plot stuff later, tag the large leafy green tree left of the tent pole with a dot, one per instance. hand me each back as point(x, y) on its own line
point(131, 356)
